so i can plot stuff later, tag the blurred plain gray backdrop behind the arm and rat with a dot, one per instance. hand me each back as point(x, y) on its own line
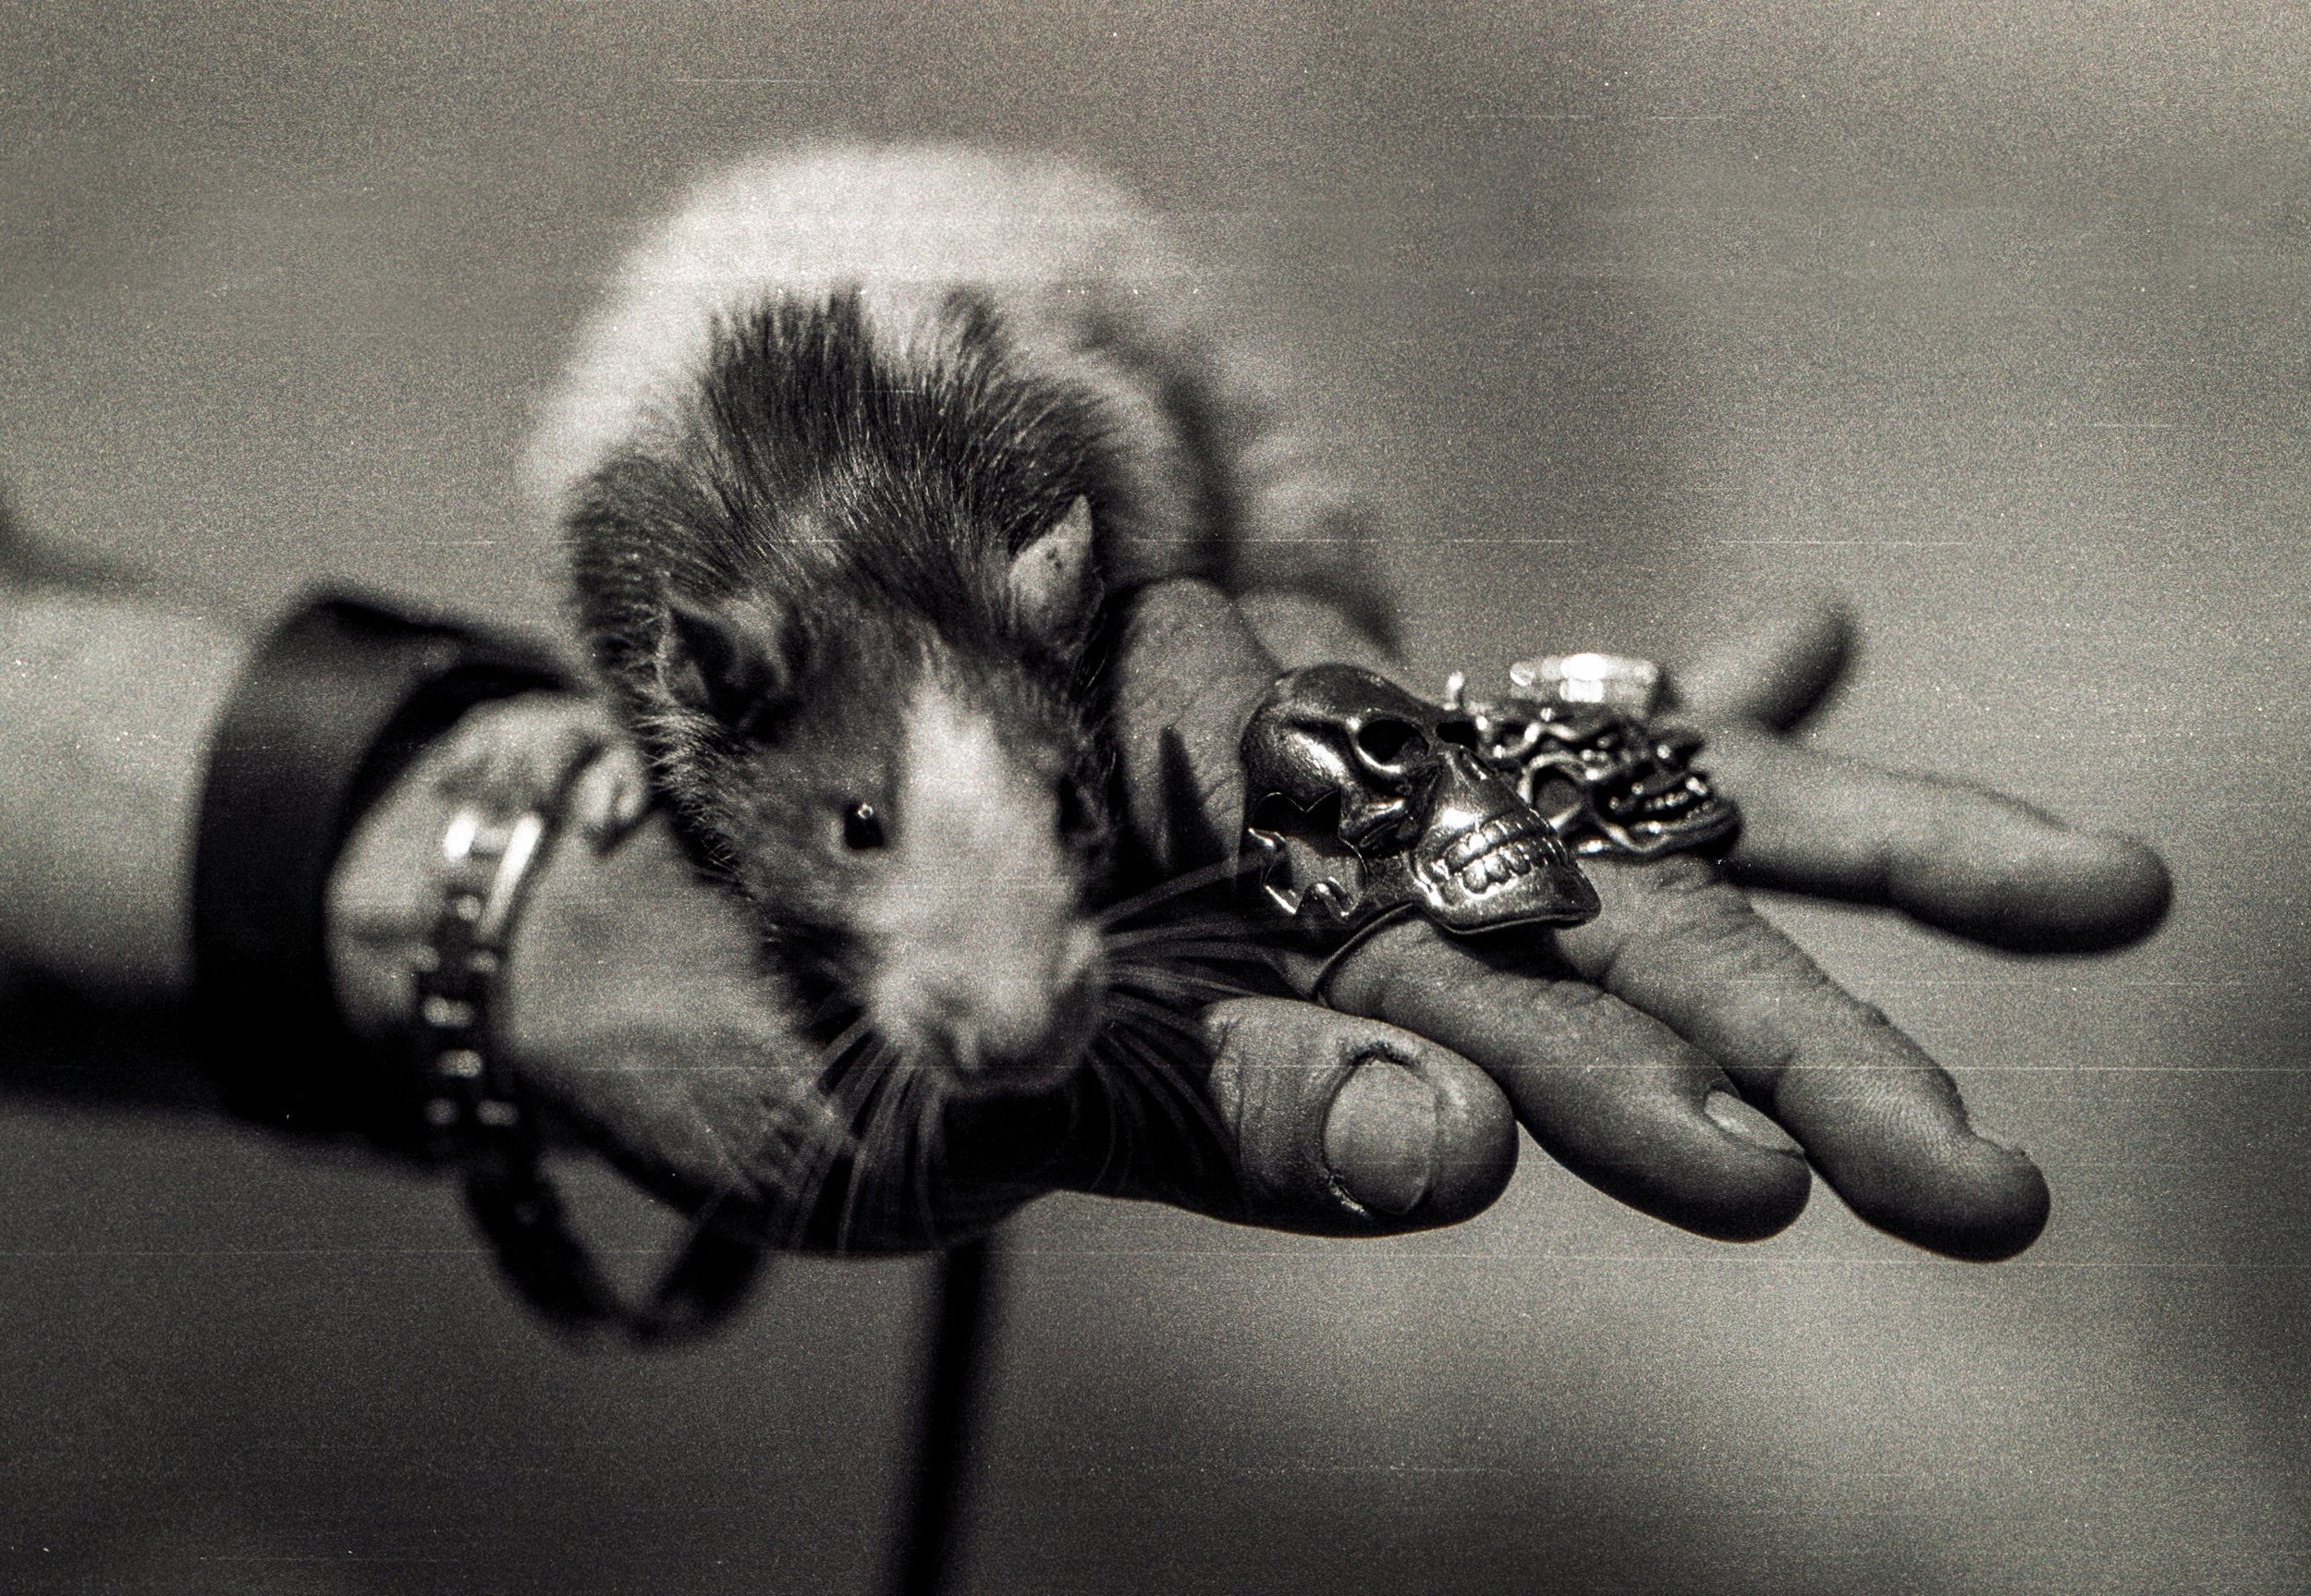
point(1991, 318)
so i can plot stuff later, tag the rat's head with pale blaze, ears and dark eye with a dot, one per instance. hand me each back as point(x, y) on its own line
point(914, 800)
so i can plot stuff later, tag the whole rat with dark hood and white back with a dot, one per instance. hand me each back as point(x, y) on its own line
point(849, 465)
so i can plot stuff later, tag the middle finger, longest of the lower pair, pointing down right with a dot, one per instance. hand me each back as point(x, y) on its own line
point(1878, 1117)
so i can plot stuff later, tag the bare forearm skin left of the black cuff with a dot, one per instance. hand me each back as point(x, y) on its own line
point(107, 715)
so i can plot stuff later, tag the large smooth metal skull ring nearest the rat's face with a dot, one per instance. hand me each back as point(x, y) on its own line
point(1365, 803)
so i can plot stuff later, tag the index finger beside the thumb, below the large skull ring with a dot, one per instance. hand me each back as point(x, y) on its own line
point(1607, 1091)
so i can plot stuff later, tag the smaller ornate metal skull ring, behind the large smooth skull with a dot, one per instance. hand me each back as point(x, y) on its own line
point(1582, 749)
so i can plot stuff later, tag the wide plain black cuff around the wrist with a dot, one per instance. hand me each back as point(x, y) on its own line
point(329, 710)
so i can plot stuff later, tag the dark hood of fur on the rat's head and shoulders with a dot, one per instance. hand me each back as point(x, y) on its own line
point(859, 521)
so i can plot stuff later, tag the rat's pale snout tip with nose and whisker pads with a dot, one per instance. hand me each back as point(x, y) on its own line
point(1006, 1010)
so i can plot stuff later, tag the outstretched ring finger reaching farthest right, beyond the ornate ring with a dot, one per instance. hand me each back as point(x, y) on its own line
point(1947, 853)
